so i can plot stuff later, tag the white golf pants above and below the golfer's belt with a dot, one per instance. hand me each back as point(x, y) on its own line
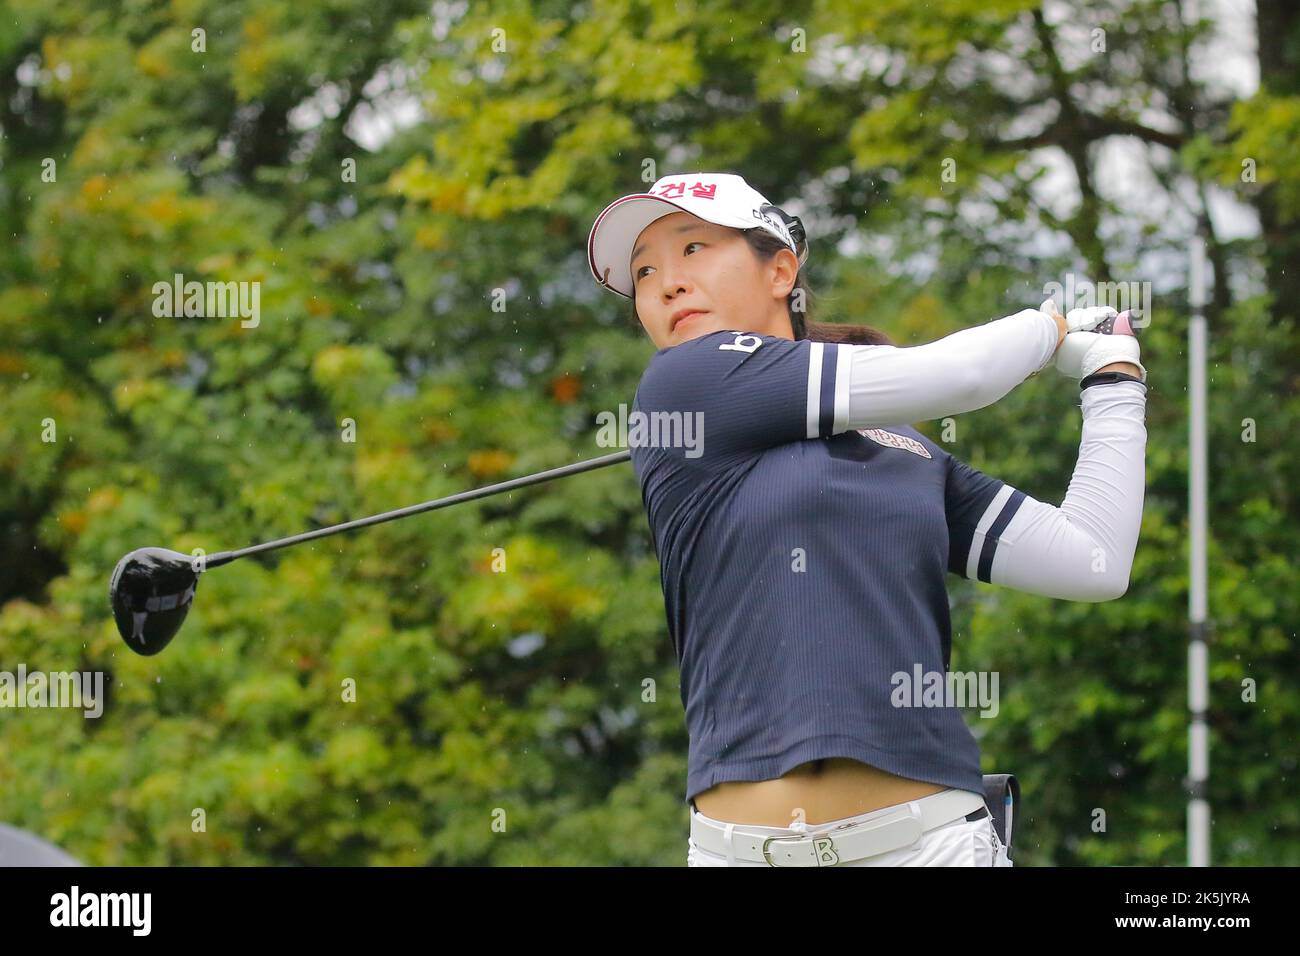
point(961, 843)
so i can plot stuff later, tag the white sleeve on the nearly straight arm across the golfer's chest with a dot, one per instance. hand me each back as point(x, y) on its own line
point(887, 386)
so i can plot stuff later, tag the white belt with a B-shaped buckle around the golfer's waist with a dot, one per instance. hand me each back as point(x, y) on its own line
point(826, 847)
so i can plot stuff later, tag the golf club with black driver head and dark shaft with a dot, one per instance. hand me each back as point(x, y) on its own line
point(153, 589)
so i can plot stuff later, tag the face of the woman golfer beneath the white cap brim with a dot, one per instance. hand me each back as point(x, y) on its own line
point(682, 262)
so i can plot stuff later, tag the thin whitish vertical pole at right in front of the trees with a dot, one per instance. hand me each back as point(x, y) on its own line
point(1198, 650)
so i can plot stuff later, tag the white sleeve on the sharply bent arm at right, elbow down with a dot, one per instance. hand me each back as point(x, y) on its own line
point(1085, 550)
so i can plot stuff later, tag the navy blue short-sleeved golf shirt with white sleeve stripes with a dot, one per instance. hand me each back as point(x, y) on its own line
point(803, 569)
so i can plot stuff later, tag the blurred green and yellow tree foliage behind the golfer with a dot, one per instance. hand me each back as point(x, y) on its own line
point(413, 194)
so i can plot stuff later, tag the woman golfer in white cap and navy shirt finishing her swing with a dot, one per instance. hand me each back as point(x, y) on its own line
point(804, 530)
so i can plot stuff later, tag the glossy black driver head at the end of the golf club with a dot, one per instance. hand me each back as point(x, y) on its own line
point(151, 592)
